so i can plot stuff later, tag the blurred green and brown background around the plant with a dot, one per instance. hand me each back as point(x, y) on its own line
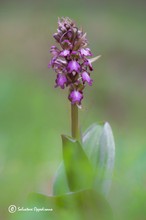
point(33, 114)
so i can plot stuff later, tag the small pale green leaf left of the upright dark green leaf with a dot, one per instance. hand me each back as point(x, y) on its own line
point(60, 185)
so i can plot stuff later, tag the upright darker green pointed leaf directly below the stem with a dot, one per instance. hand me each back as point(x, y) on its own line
point(78, 168)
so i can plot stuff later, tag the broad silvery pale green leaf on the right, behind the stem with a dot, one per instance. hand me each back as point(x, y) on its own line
point(98, 143)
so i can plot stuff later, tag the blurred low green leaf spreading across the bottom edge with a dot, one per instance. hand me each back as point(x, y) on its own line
point(83, 205)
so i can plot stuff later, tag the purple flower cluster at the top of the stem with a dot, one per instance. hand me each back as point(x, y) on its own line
point(70, 61)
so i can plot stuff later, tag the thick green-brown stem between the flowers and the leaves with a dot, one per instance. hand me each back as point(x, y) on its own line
point(74, 121)
